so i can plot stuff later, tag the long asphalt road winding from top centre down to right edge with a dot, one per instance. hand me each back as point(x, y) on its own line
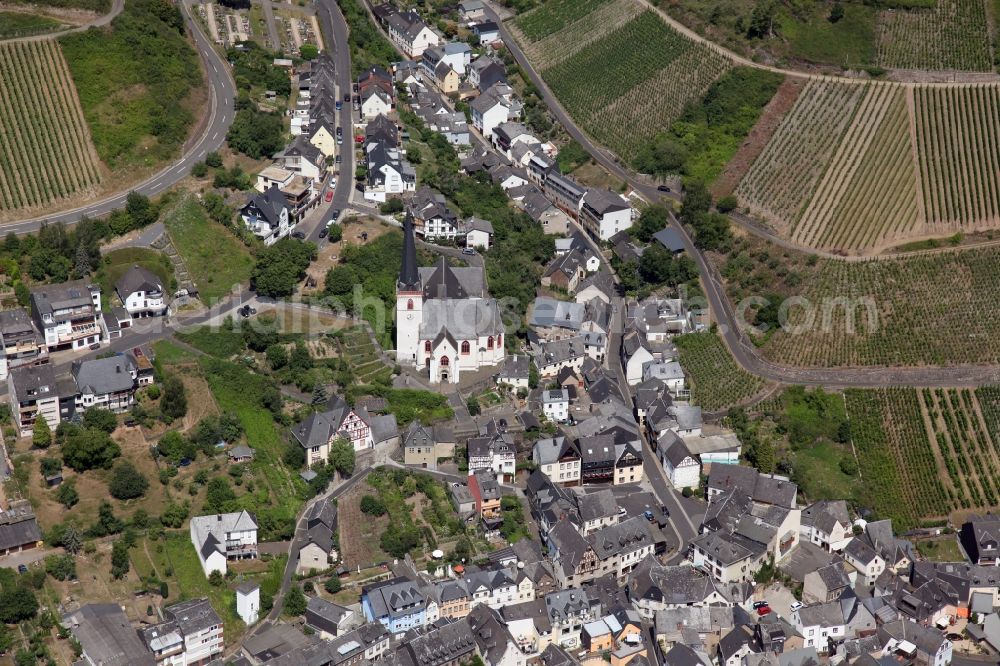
point(745, 352)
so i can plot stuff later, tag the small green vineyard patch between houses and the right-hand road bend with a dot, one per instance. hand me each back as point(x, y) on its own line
point(715, 380)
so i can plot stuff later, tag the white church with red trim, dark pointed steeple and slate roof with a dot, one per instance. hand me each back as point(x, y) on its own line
point(446, 323)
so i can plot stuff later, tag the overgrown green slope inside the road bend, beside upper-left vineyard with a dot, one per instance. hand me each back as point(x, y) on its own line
point(135, 83)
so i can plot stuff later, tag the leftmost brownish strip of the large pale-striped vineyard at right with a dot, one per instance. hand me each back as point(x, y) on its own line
point(783, 177)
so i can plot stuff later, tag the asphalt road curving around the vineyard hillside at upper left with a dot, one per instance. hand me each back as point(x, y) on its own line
point(222, 92)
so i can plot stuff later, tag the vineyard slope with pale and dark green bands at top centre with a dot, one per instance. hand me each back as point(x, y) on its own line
point(611, 43)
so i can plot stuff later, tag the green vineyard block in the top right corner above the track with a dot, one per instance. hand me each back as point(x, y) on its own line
point(954, 34)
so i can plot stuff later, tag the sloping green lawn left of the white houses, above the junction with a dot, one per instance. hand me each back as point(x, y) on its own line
point(215, 258)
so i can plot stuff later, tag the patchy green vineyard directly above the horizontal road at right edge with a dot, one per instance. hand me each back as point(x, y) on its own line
point(933, 309)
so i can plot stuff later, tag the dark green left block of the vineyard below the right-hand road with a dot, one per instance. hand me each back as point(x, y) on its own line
point(901, 479)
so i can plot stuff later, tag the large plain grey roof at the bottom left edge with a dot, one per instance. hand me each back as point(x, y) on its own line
point(106, 636)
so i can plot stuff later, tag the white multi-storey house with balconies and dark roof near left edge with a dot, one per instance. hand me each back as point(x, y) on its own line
point(68, 314)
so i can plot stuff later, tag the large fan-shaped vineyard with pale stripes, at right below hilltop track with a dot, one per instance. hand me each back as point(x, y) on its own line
point(855, 166)
